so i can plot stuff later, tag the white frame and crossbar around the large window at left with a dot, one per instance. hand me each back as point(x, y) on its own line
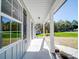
point(14, 19)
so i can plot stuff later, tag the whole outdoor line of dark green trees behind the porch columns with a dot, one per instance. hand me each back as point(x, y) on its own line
point(60, 26)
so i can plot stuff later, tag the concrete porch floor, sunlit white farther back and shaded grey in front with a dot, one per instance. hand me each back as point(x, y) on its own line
point(38, 49)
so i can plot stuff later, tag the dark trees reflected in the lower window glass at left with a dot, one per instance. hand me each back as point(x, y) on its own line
point(7, 26)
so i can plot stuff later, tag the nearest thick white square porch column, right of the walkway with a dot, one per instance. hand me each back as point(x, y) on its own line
point(52, 47)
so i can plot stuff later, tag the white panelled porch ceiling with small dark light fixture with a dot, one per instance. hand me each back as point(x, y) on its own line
point(39, 9)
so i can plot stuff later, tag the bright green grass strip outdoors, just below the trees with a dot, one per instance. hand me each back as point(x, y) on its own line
point(62, 34)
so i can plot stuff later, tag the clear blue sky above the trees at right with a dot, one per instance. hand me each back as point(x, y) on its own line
point(69, 11)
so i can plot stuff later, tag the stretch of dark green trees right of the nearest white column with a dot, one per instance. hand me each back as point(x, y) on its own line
point(62, 26)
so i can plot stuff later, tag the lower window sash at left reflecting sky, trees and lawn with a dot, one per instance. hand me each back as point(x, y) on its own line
point(10, 31)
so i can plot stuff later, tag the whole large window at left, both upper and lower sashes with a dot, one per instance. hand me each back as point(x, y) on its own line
point(10, 30)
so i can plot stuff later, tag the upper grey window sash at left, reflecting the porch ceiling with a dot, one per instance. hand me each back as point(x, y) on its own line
point(12, 8)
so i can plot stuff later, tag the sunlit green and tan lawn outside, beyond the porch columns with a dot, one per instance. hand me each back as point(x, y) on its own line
point(64, 38)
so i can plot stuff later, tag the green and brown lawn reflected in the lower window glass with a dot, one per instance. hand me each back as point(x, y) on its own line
point(6, 37)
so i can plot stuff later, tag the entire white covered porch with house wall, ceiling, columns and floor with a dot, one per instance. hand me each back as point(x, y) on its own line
point(24, 15)
